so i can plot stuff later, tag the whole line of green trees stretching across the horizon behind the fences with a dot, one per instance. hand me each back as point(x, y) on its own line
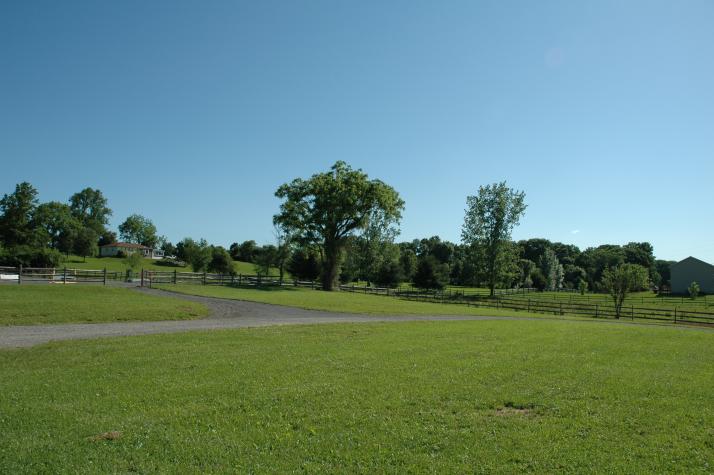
point(339, 226)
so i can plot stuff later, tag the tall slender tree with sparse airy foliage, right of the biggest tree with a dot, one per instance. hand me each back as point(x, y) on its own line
point(490, 218)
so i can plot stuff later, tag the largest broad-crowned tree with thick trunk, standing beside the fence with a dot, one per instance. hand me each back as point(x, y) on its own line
point(329, 207)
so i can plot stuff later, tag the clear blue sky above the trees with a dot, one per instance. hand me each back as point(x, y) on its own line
point(193, 113)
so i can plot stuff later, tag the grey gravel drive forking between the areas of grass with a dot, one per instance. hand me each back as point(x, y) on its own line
point(224, 313)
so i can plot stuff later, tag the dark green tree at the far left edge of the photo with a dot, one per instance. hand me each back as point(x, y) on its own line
point(17, 209)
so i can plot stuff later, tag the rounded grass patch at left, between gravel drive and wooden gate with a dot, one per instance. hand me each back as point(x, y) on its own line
point(56, 303)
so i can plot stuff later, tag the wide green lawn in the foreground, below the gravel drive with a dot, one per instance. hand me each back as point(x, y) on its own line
point(421, 397)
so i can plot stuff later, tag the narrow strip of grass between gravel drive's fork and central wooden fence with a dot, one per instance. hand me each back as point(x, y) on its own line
point(335, 301)
